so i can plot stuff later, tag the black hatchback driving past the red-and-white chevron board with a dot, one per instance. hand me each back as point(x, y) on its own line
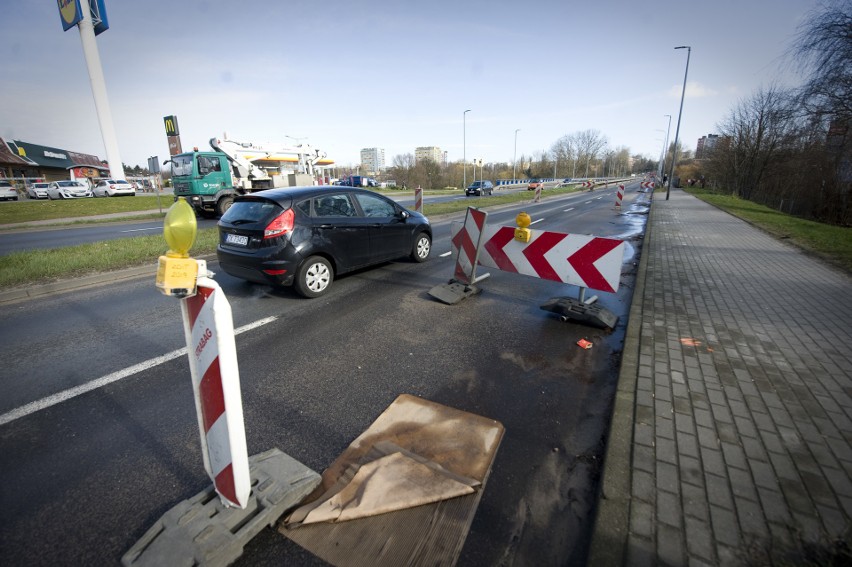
point(305, 236)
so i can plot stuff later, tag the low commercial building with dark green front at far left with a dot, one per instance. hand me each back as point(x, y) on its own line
point(25, 161)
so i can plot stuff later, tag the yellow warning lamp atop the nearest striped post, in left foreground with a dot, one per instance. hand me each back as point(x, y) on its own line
point(176, 271)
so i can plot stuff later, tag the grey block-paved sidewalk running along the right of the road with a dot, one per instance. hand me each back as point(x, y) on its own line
point(731, 440)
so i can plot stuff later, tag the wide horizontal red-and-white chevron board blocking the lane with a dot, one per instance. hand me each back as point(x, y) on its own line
point(577, 259)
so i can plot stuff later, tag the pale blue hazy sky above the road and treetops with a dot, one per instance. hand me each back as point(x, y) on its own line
point(346, 75)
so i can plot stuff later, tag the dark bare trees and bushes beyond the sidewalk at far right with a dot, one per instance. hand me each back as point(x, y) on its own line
point(790, 148)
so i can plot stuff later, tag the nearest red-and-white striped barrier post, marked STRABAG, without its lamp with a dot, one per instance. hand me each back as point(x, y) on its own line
point(209, 329)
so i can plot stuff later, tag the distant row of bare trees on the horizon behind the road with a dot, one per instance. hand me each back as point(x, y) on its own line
point(582, 154)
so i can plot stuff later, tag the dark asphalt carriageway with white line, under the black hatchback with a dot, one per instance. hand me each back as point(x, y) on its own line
point(86, 475)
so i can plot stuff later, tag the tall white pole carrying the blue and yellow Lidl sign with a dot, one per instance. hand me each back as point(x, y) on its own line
point(80, 12)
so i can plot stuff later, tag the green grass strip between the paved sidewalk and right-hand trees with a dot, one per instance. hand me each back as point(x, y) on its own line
point(831, 243)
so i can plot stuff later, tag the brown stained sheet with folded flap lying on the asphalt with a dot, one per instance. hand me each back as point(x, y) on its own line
point(404, 492)
